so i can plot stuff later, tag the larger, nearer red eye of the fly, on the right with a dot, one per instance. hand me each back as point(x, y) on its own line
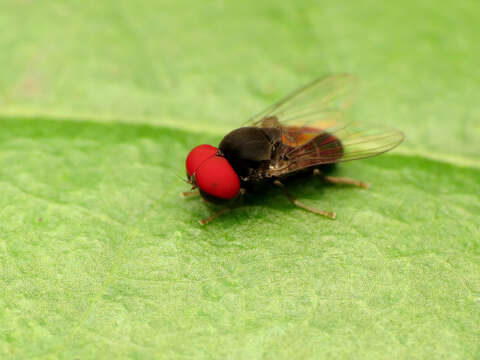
point(217, 178)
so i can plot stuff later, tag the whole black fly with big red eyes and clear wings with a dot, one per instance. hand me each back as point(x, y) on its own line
point(304, 133)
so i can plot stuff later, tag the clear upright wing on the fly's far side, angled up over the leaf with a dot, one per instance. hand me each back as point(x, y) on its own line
point(323, 99)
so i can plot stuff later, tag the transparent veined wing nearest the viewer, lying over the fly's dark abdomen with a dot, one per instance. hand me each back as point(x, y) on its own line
point(338, 143)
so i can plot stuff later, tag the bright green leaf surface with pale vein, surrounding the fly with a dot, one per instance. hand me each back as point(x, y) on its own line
point(99, 258)
